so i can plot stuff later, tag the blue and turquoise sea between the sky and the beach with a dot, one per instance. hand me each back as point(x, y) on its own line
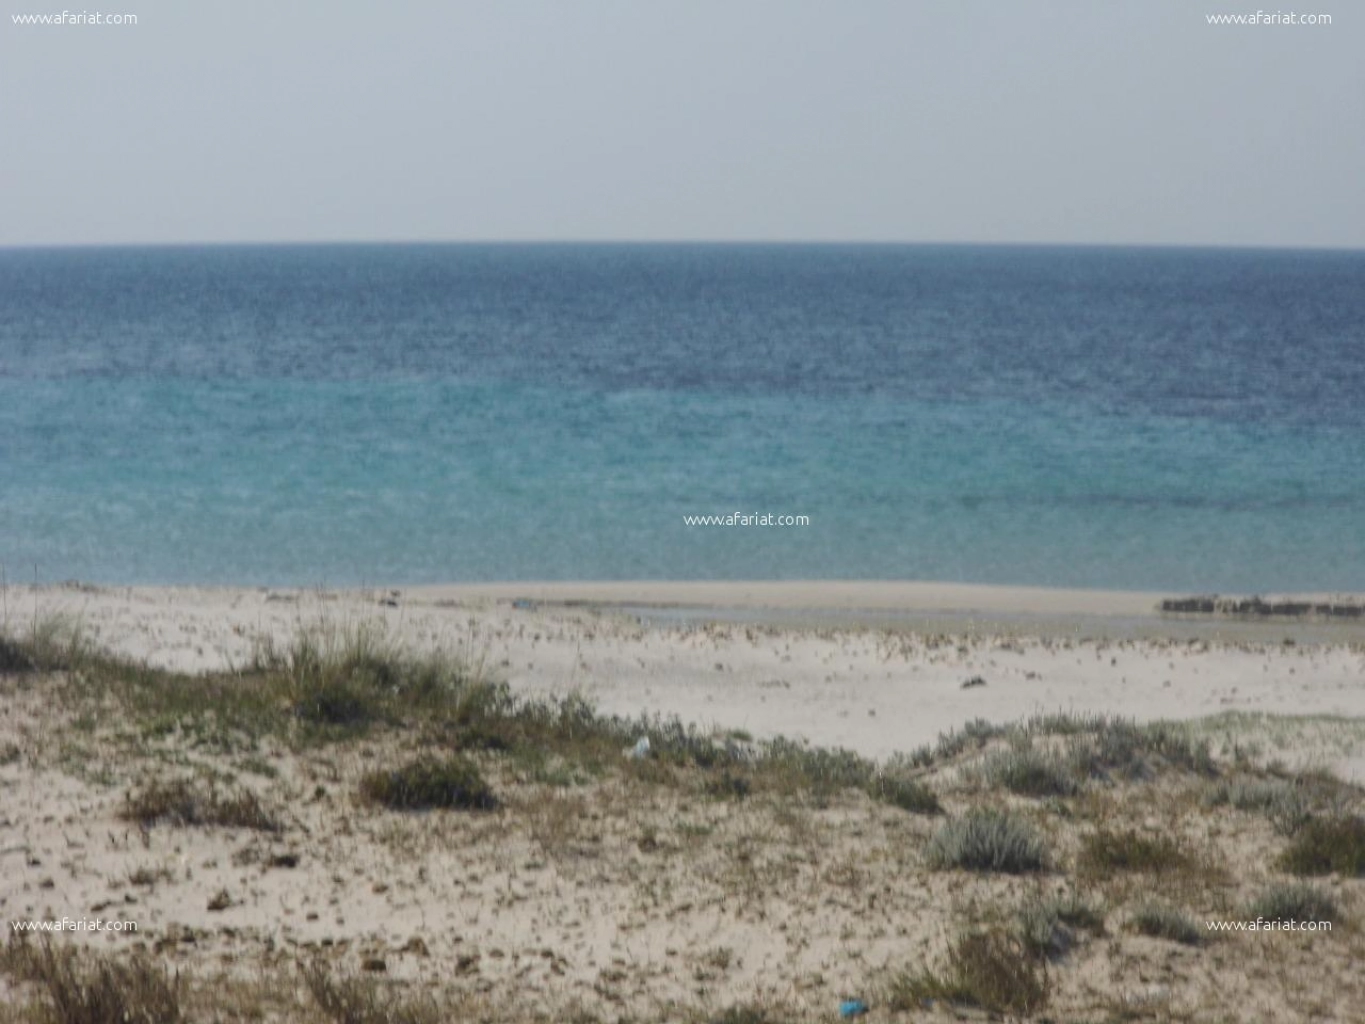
point(1175, 420)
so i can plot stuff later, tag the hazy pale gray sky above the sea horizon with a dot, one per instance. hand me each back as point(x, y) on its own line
point(956, 121)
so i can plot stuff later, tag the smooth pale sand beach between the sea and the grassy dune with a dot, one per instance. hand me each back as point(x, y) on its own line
point(869, 666)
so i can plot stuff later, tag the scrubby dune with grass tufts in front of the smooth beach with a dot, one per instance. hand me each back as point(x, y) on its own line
point(1000, 853)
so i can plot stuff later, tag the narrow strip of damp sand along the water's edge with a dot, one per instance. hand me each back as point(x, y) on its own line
point(904, 607)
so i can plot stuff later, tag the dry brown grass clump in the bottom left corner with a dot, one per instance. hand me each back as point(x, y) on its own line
point(95, 989)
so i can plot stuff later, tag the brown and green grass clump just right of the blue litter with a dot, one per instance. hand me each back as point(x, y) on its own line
point(990, 970)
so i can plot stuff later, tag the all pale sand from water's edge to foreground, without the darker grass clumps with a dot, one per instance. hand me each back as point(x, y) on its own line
point(670, 891)
